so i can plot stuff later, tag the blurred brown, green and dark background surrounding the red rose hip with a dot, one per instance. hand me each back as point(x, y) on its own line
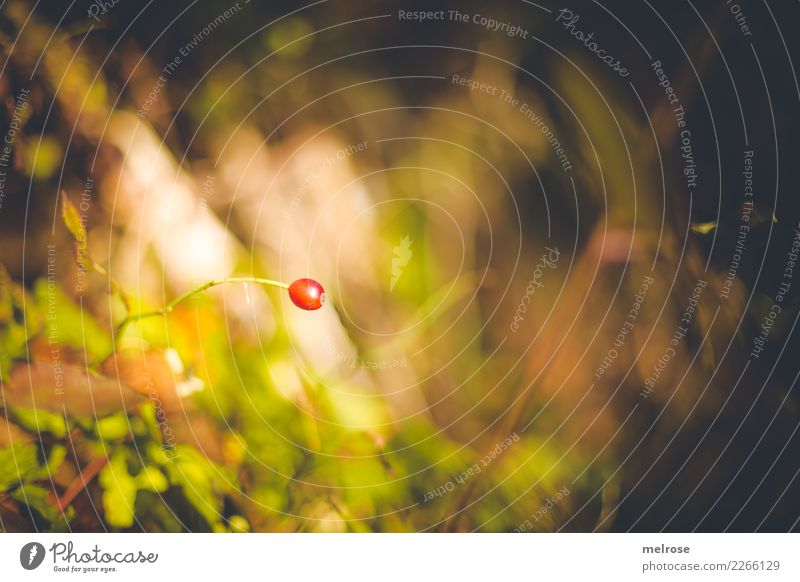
point(541, 306)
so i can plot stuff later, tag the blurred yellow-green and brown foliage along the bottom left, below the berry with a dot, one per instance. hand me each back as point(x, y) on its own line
point(229, 459)
